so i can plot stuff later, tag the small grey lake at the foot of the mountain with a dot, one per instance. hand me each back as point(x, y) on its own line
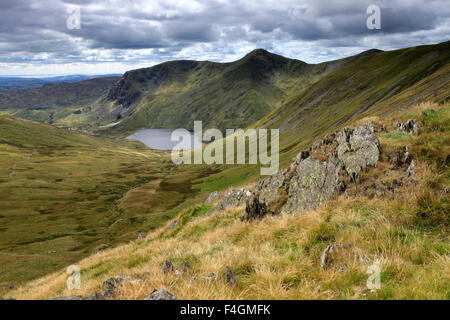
point(160, 139)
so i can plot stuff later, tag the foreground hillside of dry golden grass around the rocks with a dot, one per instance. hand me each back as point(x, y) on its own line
point(279, 257)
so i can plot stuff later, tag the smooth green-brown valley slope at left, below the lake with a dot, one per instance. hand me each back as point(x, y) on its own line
point(65, 195)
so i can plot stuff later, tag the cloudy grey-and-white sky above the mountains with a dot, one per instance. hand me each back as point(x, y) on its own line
point(48, 37)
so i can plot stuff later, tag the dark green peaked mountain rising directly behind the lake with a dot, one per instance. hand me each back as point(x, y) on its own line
point(222, 95)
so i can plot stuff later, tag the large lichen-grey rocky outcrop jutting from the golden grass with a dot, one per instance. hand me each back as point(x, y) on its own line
point(316, 175)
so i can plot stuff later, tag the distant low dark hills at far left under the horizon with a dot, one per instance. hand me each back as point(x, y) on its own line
point(52, 102)
